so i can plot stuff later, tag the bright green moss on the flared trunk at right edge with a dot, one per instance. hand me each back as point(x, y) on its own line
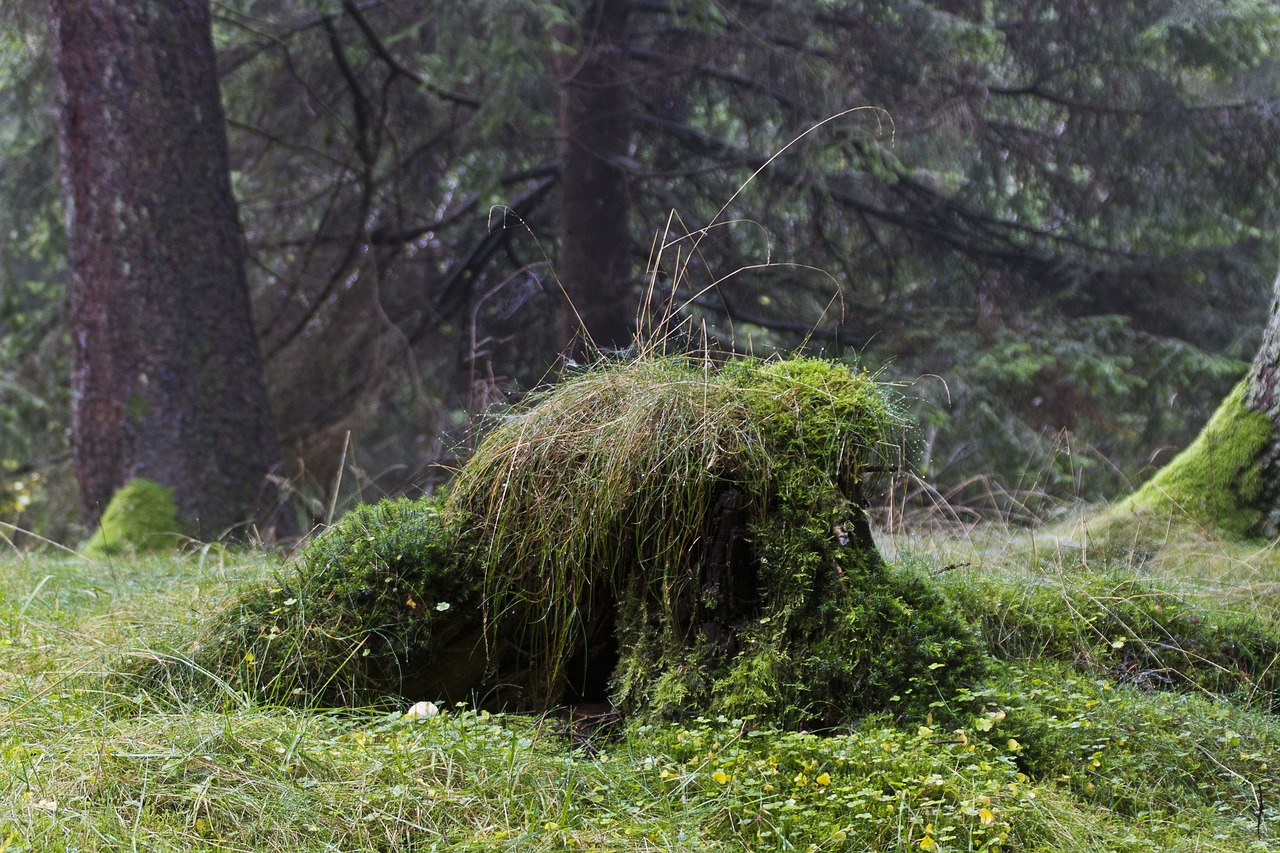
point(1217, 481)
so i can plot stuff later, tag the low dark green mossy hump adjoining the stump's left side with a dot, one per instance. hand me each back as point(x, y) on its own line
point(376, 608)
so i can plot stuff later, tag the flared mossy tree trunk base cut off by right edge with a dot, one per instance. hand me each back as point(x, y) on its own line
point(1229, 477)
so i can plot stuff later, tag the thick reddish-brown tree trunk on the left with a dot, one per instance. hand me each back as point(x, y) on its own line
point(168, 378)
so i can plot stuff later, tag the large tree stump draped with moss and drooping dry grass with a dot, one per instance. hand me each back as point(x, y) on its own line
point(685, 539)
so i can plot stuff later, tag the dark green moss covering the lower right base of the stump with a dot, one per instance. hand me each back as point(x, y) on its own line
point(879, 641)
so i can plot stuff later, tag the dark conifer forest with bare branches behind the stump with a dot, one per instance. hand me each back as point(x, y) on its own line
point(1055, 225)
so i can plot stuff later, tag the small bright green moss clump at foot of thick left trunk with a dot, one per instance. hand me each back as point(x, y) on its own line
point(141, 517)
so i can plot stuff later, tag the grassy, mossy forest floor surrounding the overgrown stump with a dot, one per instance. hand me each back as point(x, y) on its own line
point(1113, 719)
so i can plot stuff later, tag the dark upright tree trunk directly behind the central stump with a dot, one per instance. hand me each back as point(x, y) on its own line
point(595, 206)
